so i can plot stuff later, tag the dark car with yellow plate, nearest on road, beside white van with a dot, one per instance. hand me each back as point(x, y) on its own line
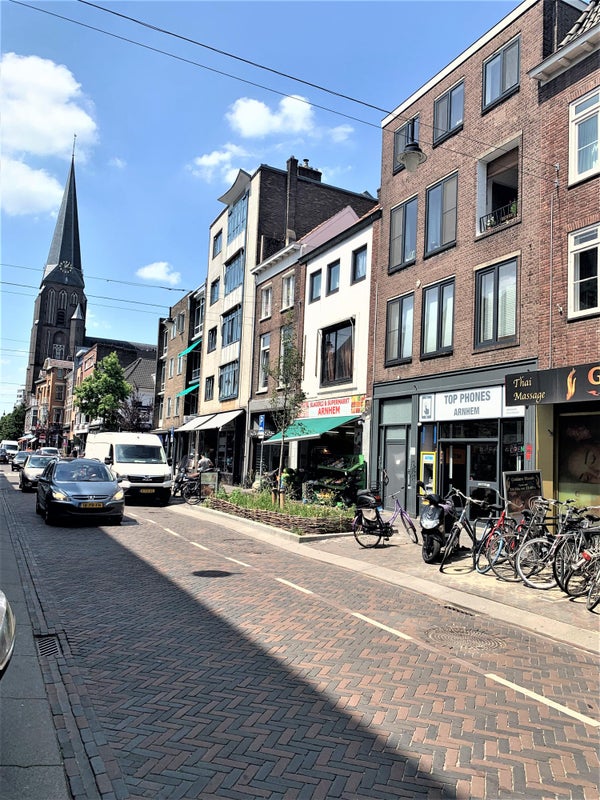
point(82, 488)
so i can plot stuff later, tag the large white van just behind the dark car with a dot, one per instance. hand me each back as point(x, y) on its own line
point(139, 461)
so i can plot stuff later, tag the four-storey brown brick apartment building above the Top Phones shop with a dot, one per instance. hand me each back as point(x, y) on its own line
point(460, 278)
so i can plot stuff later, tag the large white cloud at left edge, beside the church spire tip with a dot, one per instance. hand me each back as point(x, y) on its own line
point(42, 108)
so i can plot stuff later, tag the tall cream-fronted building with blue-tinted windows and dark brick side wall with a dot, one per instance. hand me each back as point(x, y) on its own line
point(262, 213)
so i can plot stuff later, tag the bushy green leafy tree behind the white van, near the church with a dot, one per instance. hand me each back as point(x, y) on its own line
point(102, 394)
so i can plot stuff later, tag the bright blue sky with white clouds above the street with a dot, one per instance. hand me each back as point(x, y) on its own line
point(160, 138)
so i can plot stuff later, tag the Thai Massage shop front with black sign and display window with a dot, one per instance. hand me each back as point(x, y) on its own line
point(566, 401)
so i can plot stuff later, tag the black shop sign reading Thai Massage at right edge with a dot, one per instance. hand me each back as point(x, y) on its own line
point(563, 385)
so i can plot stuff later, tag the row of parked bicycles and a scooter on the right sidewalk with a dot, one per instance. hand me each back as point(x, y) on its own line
point(552, 543)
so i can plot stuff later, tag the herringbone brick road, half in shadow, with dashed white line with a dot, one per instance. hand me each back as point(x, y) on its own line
point(202, 663)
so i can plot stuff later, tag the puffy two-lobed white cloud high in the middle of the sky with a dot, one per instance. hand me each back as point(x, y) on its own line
point(254, 119)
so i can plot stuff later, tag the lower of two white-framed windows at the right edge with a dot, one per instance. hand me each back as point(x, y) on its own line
point(584, 276)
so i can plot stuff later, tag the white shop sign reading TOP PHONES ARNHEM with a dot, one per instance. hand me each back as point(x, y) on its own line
point(472, 403)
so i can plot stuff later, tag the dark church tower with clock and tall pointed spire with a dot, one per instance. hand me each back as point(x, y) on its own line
point(58, 328)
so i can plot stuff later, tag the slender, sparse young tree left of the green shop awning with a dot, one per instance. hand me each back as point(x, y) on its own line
point(286, 396)
